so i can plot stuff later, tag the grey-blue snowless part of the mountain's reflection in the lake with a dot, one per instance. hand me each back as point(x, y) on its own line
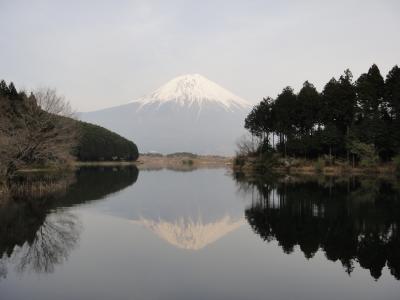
point(203, 195)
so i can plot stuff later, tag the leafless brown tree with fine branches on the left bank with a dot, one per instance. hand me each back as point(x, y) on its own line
point(36, 129)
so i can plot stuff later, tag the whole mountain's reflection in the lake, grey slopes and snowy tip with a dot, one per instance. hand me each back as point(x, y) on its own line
point(188, 210)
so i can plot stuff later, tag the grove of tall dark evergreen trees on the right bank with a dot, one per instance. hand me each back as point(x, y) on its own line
point(355, 120)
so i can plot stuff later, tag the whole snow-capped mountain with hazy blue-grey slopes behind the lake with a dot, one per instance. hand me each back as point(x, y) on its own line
point(188, 114)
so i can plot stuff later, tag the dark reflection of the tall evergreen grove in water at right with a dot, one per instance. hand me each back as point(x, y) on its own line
point(352, 220)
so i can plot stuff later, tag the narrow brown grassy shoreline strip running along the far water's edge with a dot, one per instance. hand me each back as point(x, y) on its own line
point(249, 168)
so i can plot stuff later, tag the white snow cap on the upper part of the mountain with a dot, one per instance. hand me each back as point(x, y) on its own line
point(193, 90)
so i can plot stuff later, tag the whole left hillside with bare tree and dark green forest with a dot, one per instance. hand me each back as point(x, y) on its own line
point(39, 129)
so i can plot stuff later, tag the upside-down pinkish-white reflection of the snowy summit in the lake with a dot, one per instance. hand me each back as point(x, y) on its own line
point(190, 234)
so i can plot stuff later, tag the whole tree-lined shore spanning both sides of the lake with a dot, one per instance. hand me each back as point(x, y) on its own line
point(351, 126)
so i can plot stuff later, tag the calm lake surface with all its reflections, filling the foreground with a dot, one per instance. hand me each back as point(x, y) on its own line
point(206, 234)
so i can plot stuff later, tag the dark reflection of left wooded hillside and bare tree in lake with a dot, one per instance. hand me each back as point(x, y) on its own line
point(37, 232)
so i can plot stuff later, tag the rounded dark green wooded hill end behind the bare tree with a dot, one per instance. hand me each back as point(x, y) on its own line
point(99, 144)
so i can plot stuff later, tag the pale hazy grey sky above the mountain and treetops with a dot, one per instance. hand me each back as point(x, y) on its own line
point(105, 53)
